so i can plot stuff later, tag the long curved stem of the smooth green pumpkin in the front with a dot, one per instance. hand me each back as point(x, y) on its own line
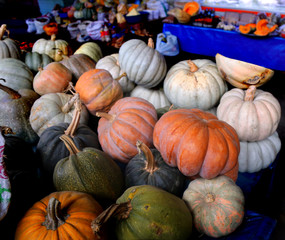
point(120, 211)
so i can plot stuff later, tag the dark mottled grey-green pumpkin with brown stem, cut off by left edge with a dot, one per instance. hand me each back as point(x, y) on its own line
point(15, 110)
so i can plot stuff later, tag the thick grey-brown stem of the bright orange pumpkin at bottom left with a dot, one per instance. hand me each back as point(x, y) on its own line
point(54, 217)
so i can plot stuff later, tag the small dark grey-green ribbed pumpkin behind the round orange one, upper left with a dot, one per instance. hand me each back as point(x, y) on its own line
point(35, 60)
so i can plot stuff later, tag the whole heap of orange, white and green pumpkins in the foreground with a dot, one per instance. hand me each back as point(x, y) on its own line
point(117, 156)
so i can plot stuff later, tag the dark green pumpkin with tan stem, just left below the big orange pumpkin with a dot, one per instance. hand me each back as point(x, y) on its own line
point(149, 168)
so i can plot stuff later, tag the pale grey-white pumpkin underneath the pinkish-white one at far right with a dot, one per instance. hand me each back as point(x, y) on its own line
point(255, 156)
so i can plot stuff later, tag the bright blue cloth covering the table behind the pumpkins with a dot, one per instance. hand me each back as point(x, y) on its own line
point(264, 51)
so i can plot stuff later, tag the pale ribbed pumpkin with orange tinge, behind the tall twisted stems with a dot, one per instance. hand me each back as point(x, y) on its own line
point(54, 108)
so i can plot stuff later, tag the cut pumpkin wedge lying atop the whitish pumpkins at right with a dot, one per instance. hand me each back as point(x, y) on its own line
point(242, 74)
